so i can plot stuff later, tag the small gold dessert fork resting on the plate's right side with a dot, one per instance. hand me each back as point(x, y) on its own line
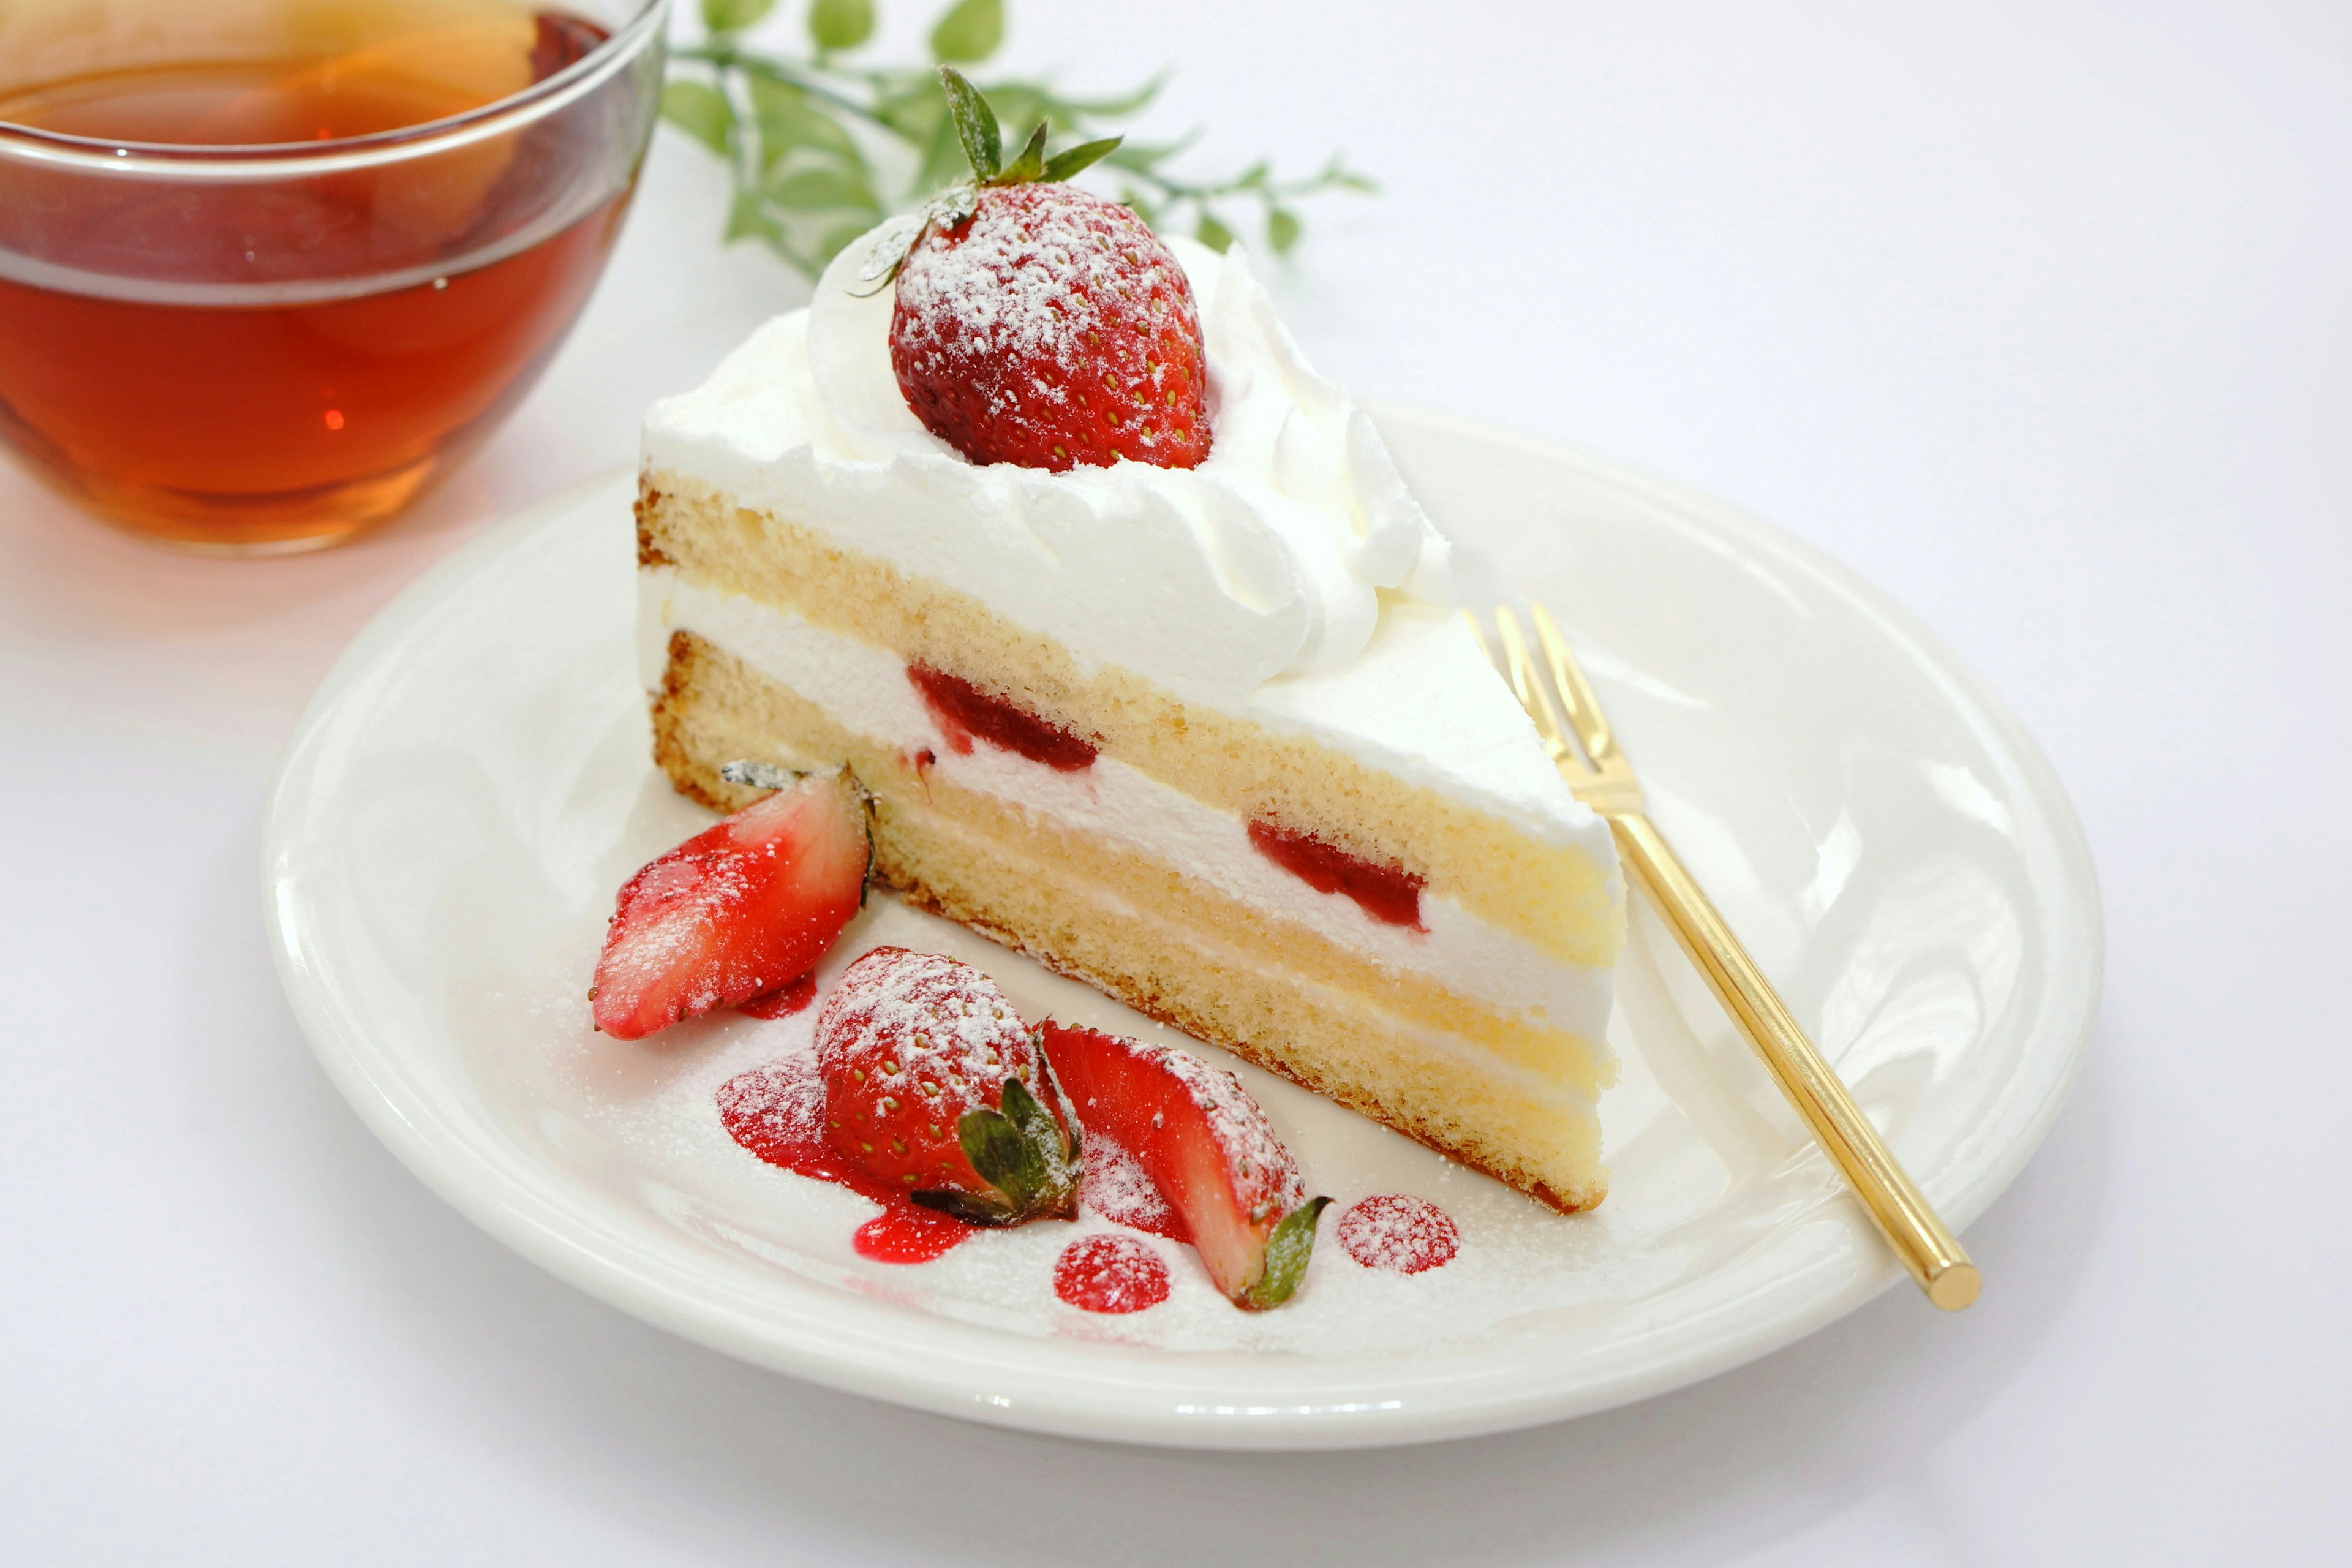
point(1601, 777)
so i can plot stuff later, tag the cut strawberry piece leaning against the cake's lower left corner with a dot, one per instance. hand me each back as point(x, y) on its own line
point(737, 911)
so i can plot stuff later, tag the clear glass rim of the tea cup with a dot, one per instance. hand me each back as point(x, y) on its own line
point(342, 154)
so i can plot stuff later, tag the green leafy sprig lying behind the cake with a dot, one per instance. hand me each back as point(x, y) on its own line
point(822, 145)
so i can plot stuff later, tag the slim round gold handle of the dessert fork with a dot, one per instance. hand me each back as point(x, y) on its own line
point(1902, 1212)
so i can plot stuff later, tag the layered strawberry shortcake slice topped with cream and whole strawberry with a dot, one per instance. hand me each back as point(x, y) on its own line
point(1144, 657)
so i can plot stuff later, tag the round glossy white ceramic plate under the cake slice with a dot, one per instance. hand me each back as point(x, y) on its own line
point(474, 784)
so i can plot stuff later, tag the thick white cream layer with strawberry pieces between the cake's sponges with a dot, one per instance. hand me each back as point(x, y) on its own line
point(867, 692)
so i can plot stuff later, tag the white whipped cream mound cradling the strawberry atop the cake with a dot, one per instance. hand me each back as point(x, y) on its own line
point(1269, 558)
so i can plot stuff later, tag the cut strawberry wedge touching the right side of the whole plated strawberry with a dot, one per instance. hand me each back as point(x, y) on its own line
point(1208, 1148)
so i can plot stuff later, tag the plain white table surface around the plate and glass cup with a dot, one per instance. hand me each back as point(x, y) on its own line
point(2040, 316)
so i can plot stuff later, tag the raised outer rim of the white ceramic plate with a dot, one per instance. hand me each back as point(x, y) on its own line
point(530, 1217)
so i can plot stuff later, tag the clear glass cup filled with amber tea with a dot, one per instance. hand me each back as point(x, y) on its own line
point(338, 243)
